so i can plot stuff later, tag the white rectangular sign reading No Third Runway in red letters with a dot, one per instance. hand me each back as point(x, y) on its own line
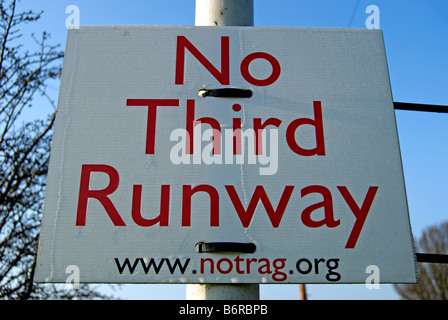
point(225, 155)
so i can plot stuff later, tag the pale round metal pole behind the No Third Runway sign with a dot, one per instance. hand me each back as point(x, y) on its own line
point(223, 13)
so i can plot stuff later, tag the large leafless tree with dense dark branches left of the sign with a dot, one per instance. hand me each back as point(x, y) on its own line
point(24, 155)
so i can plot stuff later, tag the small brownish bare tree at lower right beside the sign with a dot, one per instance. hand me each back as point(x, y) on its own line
point(433, 277)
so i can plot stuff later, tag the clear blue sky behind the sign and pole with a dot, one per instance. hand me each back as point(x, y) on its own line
point(415, 34)
